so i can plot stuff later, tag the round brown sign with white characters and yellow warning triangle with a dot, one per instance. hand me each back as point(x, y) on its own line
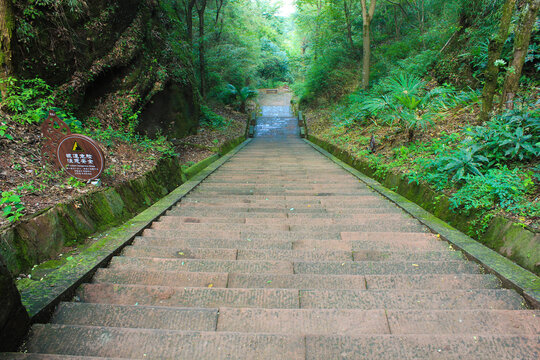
point(80, 156)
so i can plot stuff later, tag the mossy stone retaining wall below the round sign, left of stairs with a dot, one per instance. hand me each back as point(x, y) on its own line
point(43, 236)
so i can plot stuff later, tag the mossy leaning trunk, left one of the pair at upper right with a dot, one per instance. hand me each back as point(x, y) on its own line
point(494, 53)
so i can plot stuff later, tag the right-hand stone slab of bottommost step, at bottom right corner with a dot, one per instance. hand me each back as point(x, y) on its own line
point(409, 347)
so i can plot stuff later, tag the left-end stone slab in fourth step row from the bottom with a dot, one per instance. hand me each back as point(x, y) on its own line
point(160, 278)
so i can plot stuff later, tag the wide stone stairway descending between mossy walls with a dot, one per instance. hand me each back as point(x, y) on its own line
point(282, 254)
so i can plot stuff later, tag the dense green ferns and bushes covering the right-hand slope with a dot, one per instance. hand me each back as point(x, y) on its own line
point(428, 64)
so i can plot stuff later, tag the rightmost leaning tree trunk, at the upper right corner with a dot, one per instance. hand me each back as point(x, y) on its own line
point(521, 46)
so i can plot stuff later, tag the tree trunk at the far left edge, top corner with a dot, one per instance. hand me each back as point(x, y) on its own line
point(7, 24)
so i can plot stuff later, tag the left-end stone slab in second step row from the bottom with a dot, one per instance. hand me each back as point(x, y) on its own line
point(144, 317)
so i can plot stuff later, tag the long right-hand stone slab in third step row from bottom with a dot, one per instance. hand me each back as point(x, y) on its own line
point(501, 299)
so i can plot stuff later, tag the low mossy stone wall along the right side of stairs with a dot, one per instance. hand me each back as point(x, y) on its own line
point(502, 235)
